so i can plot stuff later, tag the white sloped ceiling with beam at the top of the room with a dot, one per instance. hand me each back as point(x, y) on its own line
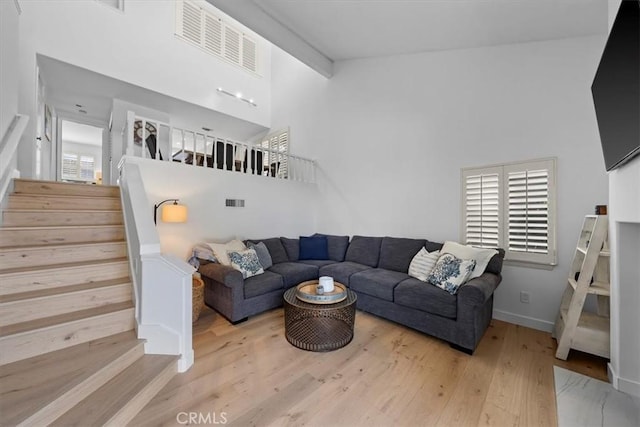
point(347, 29)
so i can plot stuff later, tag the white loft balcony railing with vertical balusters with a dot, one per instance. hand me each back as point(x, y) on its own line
point(152, 139)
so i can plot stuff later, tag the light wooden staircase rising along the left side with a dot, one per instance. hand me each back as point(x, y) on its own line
point(68, 350)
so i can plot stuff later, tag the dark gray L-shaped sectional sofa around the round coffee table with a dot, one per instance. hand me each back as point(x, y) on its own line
point(373, 267)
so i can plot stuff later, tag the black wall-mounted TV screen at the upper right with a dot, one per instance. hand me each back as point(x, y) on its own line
point(616, 88)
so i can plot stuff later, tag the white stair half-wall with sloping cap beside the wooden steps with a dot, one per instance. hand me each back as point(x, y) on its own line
point(162, 283)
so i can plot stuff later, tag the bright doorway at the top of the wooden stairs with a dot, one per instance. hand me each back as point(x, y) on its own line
point(80, 154)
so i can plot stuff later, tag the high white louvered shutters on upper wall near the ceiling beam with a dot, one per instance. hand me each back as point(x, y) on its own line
point(197, 22)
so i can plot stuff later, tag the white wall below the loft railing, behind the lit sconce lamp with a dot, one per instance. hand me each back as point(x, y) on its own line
point(272, 207)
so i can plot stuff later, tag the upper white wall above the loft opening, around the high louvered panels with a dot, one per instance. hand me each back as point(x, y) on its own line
point(138, 47)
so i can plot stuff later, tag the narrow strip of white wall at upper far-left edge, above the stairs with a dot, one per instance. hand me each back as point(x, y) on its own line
point(9, 70)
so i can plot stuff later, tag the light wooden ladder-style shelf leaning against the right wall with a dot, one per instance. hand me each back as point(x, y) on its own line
point(575, 328)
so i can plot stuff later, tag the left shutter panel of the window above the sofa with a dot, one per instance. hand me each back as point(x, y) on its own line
point(482, 203)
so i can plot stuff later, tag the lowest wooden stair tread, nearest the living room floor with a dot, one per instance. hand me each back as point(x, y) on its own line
point(100, 407)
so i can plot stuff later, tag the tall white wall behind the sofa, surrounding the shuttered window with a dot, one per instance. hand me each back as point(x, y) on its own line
point(391, 134)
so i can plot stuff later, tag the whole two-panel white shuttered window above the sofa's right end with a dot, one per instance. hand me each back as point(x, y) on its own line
point(512, 206)
